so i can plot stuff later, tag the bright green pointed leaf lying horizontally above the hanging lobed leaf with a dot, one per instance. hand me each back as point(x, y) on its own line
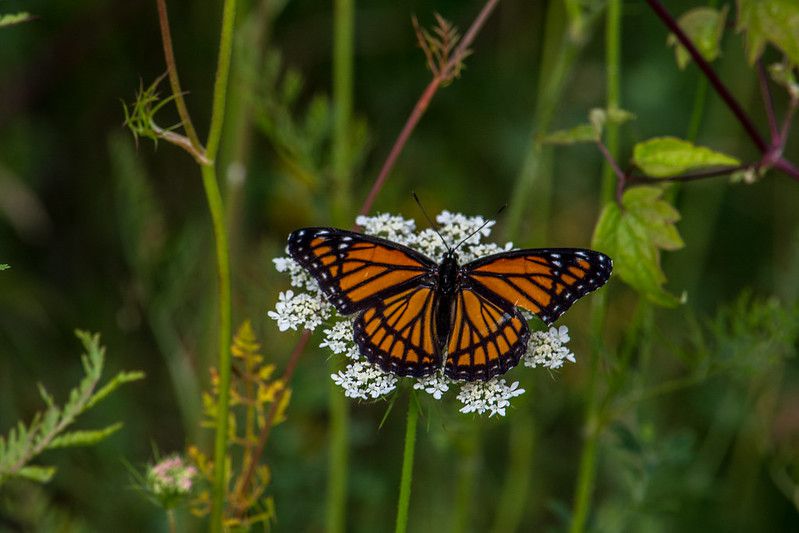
point(661, 157)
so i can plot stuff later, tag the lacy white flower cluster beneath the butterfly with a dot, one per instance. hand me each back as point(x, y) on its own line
point(307, 309)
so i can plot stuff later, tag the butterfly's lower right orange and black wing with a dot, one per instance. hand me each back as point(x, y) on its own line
point(486, 339)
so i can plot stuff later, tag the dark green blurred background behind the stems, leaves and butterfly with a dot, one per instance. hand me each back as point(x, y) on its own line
point(105, 235)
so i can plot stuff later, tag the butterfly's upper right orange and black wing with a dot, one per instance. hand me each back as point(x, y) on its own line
point(546, 282)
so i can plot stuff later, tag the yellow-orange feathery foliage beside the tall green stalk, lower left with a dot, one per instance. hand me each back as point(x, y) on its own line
point(252, 391)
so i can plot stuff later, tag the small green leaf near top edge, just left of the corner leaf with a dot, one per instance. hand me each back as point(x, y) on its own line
point(704, 26)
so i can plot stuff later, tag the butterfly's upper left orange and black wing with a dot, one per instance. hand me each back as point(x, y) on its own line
point(357, 271)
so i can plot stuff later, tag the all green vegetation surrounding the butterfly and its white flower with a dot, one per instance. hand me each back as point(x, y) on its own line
point(661, 135)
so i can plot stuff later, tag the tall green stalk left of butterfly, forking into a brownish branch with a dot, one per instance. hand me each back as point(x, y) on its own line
point(211, 185)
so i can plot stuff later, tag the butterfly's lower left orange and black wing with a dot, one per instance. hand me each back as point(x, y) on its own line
point(398, 332)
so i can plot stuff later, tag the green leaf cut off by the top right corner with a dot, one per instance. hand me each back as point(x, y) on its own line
point(773, 21)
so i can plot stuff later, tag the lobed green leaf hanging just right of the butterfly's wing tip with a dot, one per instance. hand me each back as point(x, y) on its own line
point(633, 236)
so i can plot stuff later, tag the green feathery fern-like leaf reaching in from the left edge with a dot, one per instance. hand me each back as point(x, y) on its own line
point(48, 429)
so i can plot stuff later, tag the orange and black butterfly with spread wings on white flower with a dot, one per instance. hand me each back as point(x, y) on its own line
point(416, 315)
